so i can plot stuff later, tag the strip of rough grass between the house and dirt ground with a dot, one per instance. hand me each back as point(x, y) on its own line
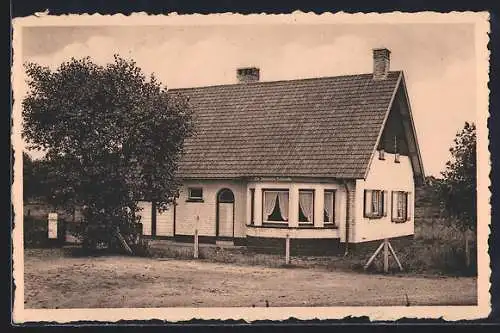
point(438, 248)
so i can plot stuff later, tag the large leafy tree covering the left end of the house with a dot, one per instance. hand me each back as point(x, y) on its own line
point(111, 137)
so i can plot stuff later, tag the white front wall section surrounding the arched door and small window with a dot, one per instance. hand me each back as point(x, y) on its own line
point(186, 212)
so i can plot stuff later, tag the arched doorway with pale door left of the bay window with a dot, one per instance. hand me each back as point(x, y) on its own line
point(225, 214)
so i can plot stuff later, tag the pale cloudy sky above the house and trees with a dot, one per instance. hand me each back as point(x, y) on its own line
point(438, 61)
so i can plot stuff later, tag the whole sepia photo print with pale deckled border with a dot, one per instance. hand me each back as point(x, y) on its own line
point(250, 167)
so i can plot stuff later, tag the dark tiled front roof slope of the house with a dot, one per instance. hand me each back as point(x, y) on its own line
point(323, 127)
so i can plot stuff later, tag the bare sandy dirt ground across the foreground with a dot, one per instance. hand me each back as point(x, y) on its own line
point(63, 282)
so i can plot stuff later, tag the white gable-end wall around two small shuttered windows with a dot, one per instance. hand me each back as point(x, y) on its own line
point(389, 176)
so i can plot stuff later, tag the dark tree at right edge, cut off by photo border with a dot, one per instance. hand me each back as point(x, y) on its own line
point(457, 188)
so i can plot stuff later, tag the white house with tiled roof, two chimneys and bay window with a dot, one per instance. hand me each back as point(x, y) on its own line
point(327, 161)
